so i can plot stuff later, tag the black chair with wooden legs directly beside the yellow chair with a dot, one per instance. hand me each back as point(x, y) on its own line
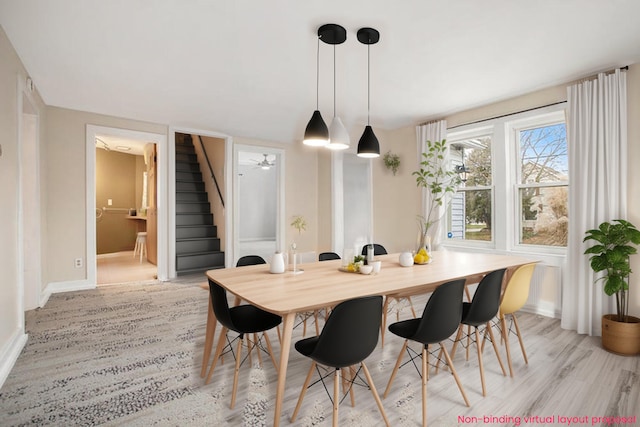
point(479, 313)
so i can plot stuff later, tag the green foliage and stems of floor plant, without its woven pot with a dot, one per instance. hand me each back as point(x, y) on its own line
point(615, 243)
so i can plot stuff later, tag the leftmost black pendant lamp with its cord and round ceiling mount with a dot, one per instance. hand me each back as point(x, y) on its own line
point(317, 132)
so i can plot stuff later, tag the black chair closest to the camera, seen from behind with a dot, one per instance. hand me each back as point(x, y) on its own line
point(349, 336)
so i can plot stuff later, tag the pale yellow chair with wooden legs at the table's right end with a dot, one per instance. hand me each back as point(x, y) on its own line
point(513, 299)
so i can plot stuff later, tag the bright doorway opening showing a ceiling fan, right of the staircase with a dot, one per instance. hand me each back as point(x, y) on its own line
point(259, 198)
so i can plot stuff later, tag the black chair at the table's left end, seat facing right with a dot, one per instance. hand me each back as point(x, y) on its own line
point(243, 319)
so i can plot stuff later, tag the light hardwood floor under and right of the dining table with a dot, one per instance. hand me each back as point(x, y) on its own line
point(568, 375)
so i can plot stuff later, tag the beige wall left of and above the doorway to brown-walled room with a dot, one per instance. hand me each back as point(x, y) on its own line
point(66, 180)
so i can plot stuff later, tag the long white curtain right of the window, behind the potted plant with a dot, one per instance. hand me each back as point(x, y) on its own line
point(597, 141)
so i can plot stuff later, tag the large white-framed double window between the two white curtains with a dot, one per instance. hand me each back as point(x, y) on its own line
point(515, 195)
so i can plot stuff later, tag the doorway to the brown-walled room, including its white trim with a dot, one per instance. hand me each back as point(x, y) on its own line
point(120, 204)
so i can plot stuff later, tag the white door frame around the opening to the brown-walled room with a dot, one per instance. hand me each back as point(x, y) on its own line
point(160, 140)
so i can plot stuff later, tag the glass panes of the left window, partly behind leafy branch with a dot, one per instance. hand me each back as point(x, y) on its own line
point(470, 214)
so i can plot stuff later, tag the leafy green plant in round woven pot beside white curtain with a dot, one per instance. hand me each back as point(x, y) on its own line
point(615, 242)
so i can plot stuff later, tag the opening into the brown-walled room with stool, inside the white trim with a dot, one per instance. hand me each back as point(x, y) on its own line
point(125, 200)
